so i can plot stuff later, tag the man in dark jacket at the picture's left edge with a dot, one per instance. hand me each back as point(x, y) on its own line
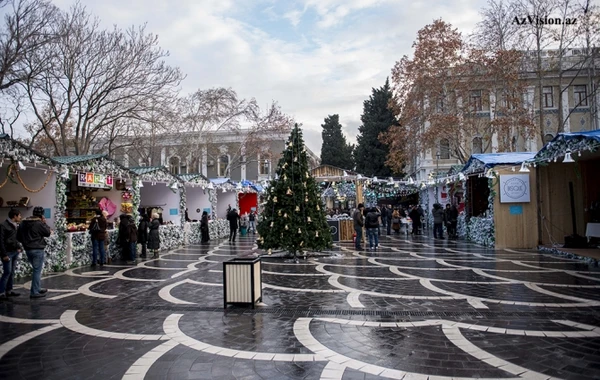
point(9, 253)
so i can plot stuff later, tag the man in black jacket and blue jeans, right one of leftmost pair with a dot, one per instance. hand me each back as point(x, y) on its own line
point(32, 233)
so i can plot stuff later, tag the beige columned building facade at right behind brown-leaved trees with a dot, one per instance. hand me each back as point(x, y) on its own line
point(568, 101)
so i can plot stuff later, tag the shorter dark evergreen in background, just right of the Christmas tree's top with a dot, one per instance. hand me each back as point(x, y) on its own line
point(335, 150)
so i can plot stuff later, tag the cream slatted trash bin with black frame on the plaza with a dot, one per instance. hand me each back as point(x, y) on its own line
point(242, 281)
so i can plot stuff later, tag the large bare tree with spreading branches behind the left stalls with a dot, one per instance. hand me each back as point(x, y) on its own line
point(97, 80)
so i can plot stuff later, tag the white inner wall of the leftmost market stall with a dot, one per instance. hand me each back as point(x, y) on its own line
point(34, 179)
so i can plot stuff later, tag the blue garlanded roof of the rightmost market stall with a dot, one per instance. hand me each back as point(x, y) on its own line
point(572, 141)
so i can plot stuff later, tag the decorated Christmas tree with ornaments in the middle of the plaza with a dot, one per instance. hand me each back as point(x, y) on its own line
point(294, 217)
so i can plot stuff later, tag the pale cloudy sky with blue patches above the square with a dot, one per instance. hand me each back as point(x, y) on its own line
point(314, 57)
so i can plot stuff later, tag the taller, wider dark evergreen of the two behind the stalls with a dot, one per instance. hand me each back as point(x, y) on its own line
point(370, 153)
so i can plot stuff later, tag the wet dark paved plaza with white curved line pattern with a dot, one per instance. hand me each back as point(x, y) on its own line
point(417, 308)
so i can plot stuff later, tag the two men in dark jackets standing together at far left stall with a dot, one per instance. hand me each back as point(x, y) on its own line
point(18, 235)
